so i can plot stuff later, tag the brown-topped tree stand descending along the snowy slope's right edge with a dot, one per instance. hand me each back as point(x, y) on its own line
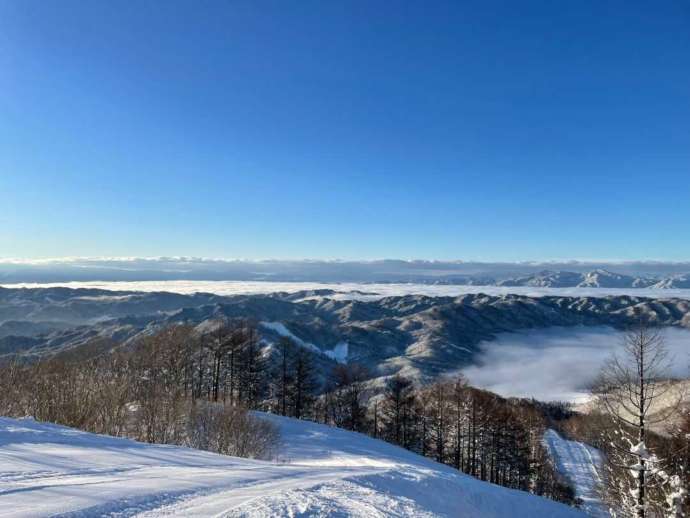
point(475, 431)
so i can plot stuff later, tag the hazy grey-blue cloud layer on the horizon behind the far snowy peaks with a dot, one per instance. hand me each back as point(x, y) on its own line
point(389, 270)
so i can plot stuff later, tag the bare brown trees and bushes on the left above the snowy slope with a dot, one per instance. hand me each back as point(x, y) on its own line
point(163, 390)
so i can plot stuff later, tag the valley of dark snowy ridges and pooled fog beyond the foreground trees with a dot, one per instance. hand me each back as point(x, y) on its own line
point(547, 347)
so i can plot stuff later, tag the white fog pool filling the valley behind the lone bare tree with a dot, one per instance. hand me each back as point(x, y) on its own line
point(558, 364)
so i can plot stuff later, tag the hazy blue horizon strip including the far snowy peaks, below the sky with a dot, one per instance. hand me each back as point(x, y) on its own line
point(555, 274)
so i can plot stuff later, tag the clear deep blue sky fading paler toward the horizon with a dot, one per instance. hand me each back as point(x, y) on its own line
point(258, 129)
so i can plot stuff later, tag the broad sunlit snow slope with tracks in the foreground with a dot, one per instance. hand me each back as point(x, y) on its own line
point(51, 470)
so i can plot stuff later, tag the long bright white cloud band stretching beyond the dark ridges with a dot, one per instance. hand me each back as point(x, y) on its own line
point(354, 290)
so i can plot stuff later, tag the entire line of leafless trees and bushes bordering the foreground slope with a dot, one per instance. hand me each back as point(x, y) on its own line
point(195, 387)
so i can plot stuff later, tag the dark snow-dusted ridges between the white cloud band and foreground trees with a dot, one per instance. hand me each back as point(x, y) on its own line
point(418, 335)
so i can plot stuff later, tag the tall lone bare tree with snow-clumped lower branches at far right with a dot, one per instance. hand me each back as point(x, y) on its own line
point(628, 386)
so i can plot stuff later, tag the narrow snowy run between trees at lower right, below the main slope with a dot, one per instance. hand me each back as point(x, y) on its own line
point(581, 465)
